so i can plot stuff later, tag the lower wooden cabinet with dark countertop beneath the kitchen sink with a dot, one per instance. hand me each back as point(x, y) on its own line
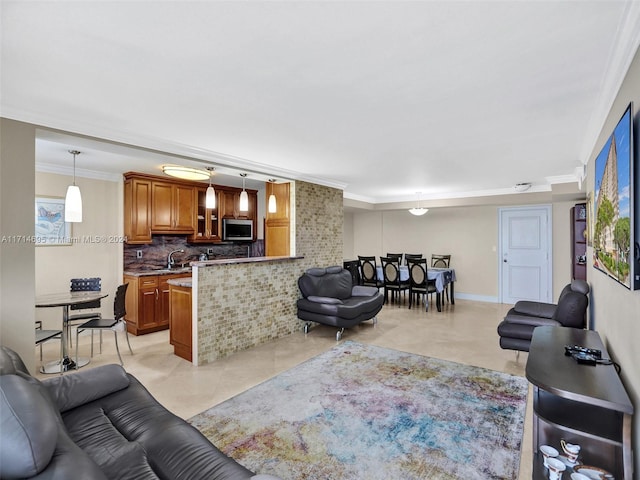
point(147, 302)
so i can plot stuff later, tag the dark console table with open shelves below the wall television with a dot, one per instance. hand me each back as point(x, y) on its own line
point(581, 404)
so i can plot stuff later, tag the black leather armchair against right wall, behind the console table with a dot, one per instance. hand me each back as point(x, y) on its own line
point(517, 327)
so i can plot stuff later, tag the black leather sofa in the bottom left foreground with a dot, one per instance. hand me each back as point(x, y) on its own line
point(98, 423)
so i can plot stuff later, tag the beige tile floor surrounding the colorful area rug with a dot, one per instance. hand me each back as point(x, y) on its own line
point(464, 333)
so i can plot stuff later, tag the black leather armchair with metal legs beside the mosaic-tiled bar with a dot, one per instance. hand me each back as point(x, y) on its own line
point(330, 298)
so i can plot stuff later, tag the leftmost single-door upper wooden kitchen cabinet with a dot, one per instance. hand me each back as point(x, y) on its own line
point(137, 210)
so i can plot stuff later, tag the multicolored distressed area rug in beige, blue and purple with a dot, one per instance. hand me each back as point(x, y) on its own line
point(361, 412)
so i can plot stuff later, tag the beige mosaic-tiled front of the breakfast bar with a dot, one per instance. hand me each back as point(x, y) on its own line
point(239, 303)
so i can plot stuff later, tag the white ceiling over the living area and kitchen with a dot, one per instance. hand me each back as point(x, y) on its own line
point(383, 99)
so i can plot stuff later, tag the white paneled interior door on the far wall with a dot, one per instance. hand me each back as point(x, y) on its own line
point(525, 254)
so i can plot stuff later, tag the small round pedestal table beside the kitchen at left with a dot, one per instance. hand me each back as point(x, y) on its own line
point(66, 300)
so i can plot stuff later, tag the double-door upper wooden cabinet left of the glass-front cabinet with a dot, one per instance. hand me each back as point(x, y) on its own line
point(172, 207)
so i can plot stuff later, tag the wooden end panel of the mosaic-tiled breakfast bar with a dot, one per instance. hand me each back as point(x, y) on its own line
point(180, 329)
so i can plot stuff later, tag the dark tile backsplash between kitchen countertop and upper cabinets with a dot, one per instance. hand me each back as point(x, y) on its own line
point(155, 255)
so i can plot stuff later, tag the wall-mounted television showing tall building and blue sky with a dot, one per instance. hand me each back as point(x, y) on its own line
point(614, 239)
